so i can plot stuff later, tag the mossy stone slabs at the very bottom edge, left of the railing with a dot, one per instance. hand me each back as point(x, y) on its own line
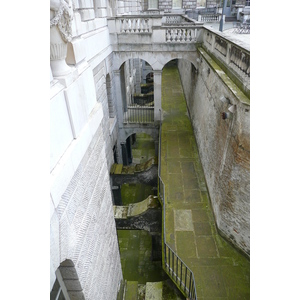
point(132, 290)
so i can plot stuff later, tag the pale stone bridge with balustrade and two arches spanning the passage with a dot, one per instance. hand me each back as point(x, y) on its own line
point(156, 39)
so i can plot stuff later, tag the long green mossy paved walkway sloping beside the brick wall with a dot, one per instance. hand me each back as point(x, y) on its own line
point(220, 271)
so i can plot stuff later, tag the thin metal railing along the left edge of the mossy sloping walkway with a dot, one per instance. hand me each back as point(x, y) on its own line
point(174, 266)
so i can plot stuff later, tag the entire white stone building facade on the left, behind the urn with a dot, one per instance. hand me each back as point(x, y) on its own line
point(82, 136)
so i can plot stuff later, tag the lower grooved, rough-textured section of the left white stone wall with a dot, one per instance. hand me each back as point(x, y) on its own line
point(83, 226)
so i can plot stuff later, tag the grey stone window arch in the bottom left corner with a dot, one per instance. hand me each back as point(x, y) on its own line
point(67, 285)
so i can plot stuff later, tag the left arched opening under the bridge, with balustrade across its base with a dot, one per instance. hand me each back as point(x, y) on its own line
point(137, 91)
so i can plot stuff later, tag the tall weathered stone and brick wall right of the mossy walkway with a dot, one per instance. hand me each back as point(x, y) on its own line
point(224, 145)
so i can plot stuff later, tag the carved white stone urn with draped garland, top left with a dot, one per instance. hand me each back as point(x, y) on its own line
point(61, 16)
